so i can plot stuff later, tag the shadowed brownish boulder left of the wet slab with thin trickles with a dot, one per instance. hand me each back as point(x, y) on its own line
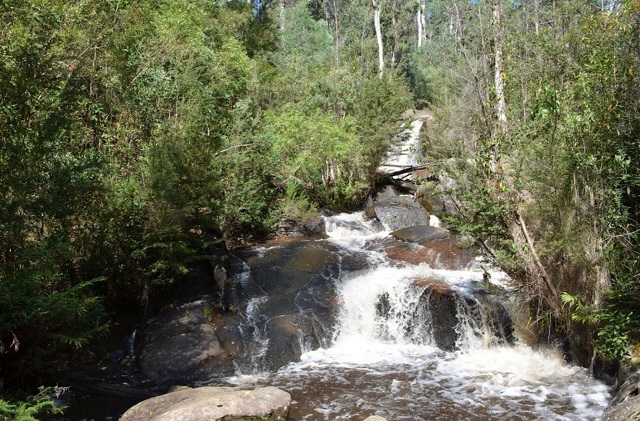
point(181, 344)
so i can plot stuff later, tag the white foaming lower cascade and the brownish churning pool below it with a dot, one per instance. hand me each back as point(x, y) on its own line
point(380, 362)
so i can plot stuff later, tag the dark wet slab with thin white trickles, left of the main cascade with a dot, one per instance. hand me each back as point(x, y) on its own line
point(297, 303)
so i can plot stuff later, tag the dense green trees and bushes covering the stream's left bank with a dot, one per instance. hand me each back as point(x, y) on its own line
point(136, 134)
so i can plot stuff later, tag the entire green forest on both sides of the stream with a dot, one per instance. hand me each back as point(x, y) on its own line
point(137, 137)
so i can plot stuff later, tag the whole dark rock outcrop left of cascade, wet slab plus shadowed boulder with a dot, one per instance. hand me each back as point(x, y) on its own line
point(268, 307)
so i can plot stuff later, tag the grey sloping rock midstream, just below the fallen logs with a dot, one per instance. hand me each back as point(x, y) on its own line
point(397, 211)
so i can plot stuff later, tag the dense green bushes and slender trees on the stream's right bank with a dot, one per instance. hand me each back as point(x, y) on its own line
point(554, 195)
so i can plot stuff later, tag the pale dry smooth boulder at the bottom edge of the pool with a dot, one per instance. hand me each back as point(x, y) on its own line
point(214, 403)
